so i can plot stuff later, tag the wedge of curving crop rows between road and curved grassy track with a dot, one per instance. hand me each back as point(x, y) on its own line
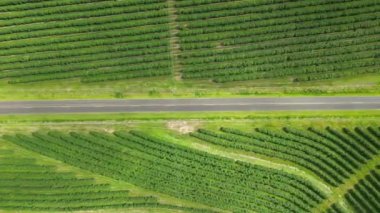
point(333, 158)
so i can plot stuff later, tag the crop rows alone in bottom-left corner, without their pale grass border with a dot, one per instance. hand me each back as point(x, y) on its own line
point(40, 187)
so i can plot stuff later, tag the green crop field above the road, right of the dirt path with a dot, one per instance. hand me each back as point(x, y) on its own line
point(302, 40)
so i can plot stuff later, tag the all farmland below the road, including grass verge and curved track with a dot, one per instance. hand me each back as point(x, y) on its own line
point(192, 162)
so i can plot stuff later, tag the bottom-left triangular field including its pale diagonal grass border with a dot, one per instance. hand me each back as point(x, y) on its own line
point(29, 182)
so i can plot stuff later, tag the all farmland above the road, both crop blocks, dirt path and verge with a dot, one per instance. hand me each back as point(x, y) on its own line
point(170, 48)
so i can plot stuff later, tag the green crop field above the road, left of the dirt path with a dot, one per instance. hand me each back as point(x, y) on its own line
point(96, 40)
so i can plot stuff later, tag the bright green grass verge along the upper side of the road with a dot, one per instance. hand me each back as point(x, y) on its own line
point(167, 87)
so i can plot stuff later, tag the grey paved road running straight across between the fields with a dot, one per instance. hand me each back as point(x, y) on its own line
point(177, 105)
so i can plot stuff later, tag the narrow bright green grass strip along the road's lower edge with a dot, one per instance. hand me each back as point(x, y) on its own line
point(207, 116)
